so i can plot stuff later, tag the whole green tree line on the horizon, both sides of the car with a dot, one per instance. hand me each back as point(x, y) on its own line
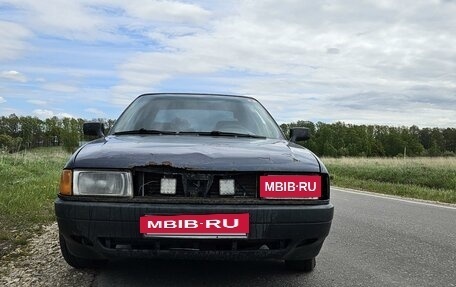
point(332, 140)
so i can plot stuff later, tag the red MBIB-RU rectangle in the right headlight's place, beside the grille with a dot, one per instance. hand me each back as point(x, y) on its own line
point(290, 186)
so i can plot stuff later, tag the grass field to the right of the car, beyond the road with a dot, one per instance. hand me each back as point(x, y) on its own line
point(422, 178)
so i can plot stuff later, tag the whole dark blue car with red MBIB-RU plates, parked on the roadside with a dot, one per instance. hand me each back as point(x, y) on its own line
point(194, 176)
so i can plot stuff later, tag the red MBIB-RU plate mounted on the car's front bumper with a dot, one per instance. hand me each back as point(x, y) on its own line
point(196, 225)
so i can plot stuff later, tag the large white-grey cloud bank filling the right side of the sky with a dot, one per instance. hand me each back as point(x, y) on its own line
point(291, 51)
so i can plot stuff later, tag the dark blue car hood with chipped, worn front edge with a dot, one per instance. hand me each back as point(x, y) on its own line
point(195, 153)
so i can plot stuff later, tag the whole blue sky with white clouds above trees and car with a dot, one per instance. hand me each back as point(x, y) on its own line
point(360, 62)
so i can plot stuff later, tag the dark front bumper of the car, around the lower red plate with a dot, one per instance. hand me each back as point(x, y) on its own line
point(101, 230)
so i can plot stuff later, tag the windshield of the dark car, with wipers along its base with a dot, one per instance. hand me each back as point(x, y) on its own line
point(172, 113)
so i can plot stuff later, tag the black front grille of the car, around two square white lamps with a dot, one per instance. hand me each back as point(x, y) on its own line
point(195, 184)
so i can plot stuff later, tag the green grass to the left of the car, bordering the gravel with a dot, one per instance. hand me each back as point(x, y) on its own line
point(28, 187)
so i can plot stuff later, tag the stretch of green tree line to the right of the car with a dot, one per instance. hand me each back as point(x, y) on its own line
point(341, 139)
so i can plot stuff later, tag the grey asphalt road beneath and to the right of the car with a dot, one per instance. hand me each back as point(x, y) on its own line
point(374, 241)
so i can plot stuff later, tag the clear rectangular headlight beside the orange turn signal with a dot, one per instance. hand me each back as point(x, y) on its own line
point(109, 183)
